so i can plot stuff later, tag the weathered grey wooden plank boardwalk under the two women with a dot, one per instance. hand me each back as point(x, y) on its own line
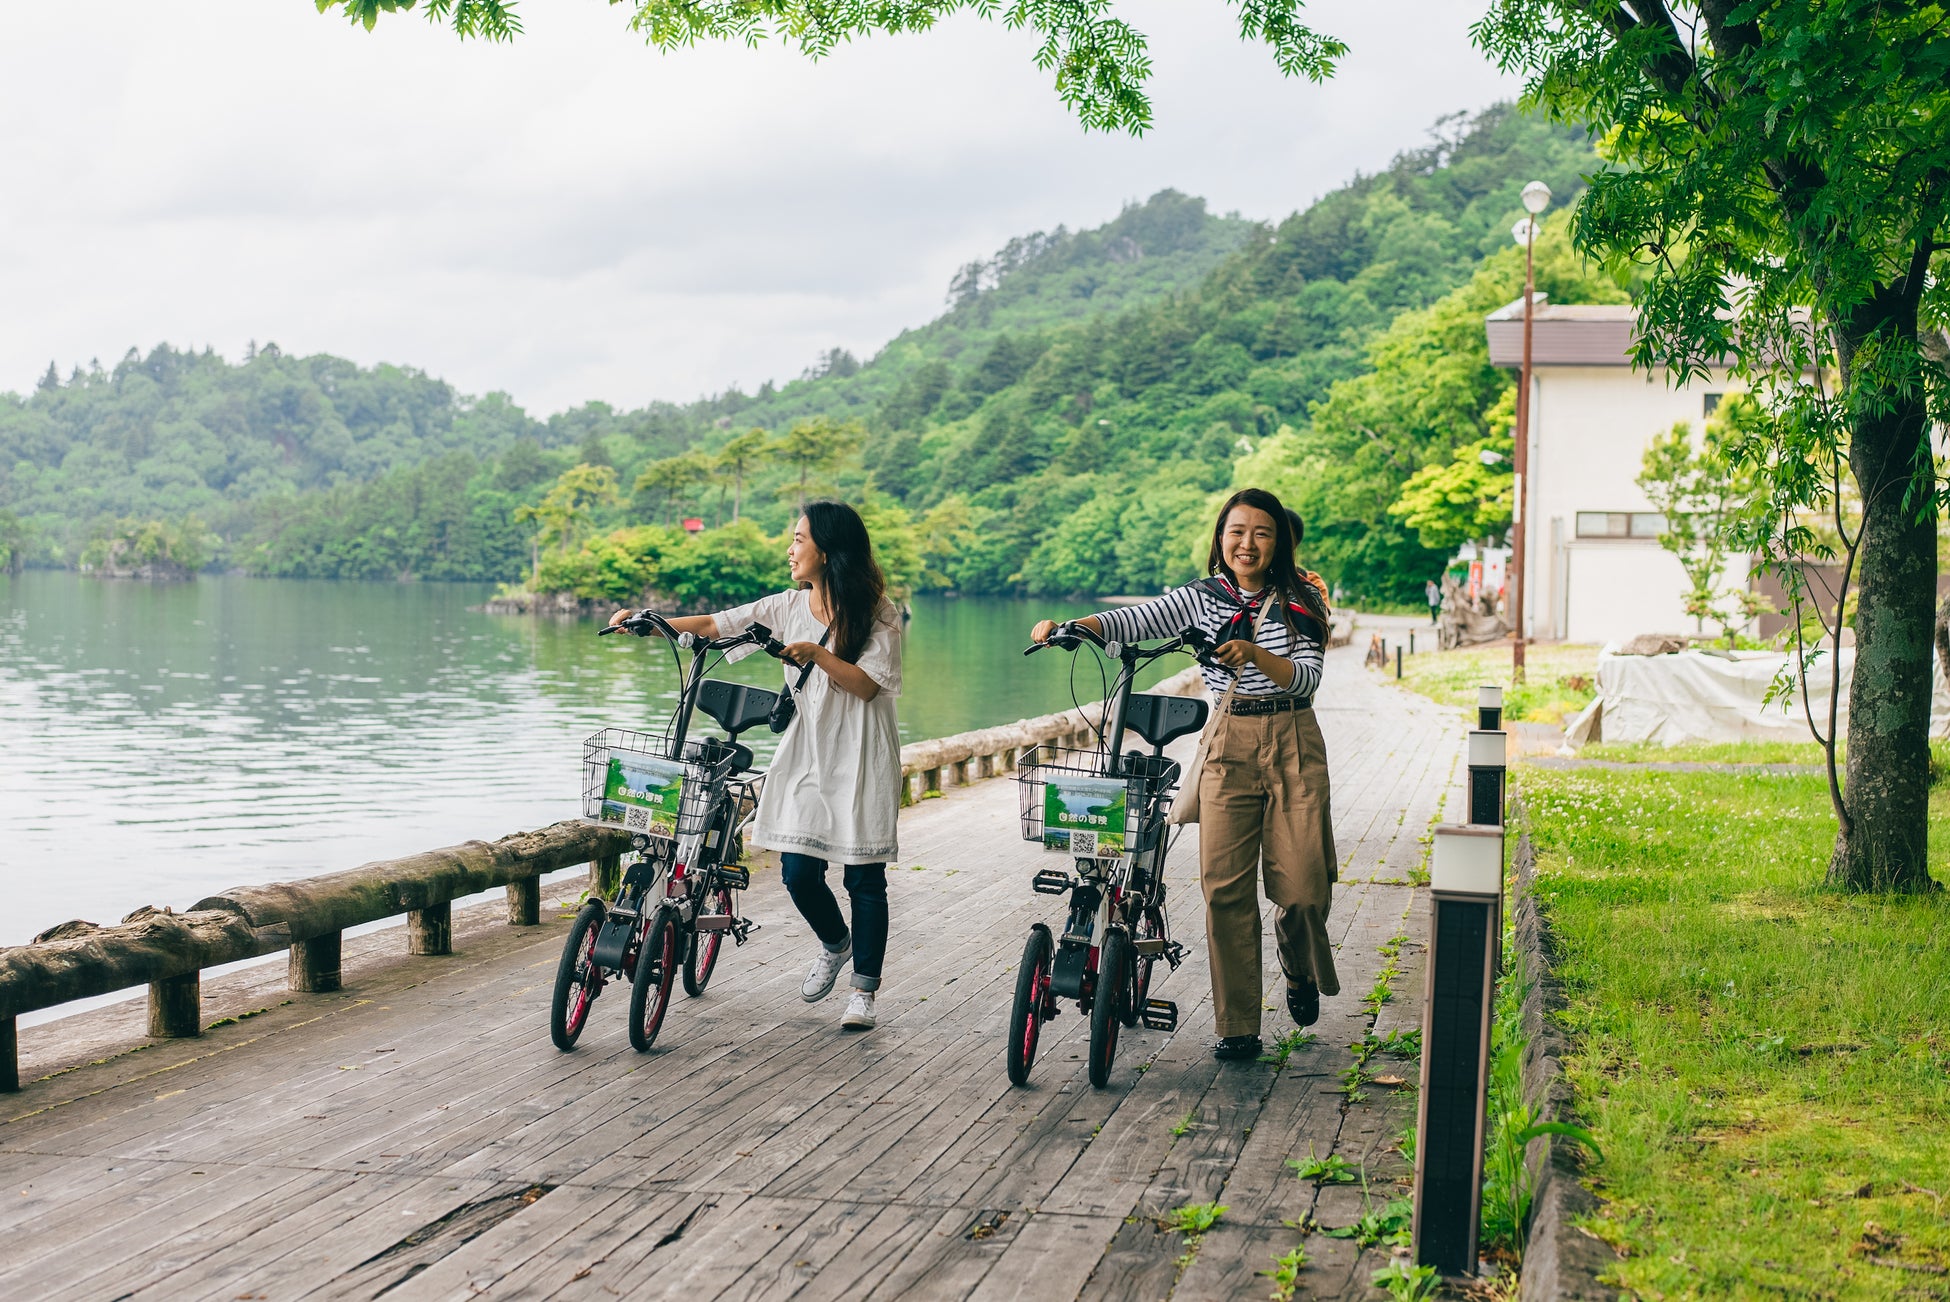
point(418, 1137)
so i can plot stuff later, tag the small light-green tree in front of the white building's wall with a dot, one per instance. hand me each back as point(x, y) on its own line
point(1701, 490)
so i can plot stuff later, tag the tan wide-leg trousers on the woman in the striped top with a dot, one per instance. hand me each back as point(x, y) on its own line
point(1265, 804)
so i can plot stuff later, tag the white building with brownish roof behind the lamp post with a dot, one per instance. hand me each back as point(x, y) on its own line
point(1594, 566)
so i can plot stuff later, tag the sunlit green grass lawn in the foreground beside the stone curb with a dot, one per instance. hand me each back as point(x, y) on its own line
point(1764, 1063)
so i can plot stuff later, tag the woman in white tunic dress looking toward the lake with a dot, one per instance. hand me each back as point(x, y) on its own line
point(834, 790)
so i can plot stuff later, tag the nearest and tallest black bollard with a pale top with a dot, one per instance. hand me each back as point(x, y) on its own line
point(1465, 927)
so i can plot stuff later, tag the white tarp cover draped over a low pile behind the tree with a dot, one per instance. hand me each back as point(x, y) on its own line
point(1699, 697)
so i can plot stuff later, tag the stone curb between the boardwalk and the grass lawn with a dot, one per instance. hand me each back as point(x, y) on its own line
point(1561, 1262)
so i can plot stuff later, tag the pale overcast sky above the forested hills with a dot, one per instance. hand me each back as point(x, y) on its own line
point(580, 217)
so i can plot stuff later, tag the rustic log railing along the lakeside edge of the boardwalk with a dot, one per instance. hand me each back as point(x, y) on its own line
point(309, 919)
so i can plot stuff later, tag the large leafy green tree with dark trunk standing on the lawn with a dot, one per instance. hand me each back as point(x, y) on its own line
point(1783, 178)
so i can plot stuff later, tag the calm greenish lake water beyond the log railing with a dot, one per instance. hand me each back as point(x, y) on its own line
point(165, 742)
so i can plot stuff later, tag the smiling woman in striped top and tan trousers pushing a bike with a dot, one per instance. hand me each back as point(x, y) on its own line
point(1263, 790)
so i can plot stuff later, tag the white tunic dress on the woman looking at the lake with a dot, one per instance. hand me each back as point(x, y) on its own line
point(834, 790)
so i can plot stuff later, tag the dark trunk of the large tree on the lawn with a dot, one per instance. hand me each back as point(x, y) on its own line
point(1889, 786)
